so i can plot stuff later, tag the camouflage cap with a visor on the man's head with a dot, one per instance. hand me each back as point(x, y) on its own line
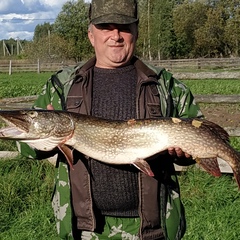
point(113, 11)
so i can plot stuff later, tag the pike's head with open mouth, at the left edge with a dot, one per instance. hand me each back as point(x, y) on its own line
point(31, 125)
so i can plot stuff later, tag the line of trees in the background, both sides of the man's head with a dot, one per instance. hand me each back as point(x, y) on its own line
point(168, 29)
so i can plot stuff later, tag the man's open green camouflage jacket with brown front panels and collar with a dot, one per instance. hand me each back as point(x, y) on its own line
point(159, 94)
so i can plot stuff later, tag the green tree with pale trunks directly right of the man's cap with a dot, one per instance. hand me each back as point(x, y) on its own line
point(156, 35)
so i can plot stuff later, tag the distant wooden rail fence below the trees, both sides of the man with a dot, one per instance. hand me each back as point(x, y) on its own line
point(11, 66)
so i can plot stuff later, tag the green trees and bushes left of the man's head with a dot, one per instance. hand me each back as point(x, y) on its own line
point(65, 39)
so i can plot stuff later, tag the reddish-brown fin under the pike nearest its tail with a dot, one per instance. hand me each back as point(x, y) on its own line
point(210, 165)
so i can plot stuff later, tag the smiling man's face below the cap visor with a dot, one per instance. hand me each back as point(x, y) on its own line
point(114, 44)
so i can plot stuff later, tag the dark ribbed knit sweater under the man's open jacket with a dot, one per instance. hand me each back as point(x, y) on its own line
point(115, 187)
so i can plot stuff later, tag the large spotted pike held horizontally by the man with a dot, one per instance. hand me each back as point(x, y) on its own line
point(121, 142)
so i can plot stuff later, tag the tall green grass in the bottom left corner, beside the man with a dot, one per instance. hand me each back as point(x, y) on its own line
point(25, 200)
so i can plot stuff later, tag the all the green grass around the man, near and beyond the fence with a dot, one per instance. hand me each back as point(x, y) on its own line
point(212, 204)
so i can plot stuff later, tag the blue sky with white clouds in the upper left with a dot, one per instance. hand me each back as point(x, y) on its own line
point(18, 18)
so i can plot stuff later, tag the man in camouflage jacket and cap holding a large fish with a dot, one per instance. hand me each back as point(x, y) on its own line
point(101, 201)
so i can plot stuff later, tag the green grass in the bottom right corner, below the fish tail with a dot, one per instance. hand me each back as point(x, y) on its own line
point(212, 206)
